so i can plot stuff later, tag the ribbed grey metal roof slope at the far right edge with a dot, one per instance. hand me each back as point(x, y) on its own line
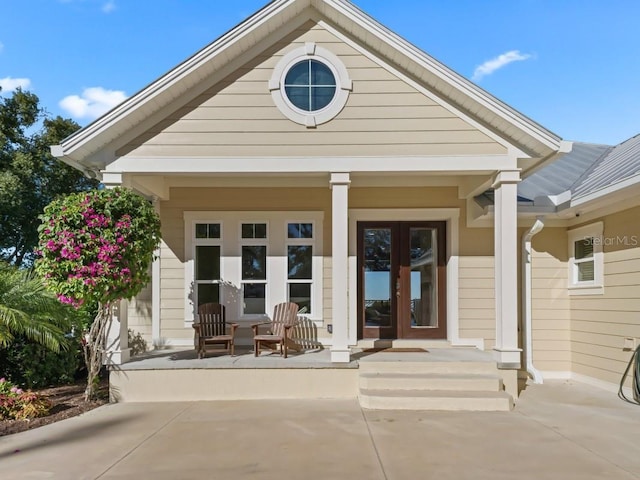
point(620, 163)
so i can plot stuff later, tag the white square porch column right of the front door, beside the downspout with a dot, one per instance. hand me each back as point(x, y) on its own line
point(506, 349)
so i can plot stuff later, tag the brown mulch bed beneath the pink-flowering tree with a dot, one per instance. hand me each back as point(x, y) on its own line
point(68, 401)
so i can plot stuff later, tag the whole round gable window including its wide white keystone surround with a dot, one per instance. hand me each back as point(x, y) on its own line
point(310, 85)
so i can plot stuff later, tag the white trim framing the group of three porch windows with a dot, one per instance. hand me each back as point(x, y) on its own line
point(230, 263)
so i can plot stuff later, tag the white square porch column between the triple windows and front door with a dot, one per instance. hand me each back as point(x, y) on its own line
point(340, 352)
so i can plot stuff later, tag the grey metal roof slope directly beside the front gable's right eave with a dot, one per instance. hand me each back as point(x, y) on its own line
point(561, 175)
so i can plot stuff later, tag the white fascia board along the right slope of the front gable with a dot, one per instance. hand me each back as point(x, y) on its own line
point(458, 82)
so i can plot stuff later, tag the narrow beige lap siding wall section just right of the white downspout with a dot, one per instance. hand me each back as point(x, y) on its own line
point(550, 302)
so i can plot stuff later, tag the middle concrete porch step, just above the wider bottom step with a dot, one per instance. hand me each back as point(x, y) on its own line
point(430, 381)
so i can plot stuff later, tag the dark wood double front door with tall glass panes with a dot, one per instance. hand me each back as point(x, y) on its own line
point(402, 280)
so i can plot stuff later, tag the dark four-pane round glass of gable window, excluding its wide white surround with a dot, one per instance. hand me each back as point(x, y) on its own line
point(310, 85)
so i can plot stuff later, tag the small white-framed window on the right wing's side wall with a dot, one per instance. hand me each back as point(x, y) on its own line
point(586, 260)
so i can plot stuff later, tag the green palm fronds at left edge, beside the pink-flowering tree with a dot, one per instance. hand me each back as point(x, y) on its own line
point(27, 309)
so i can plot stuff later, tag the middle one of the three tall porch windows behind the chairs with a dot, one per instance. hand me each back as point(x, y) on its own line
point(253, 258)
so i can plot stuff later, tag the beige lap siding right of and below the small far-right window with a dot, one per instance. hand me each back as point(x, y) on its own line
point(600, 323)
